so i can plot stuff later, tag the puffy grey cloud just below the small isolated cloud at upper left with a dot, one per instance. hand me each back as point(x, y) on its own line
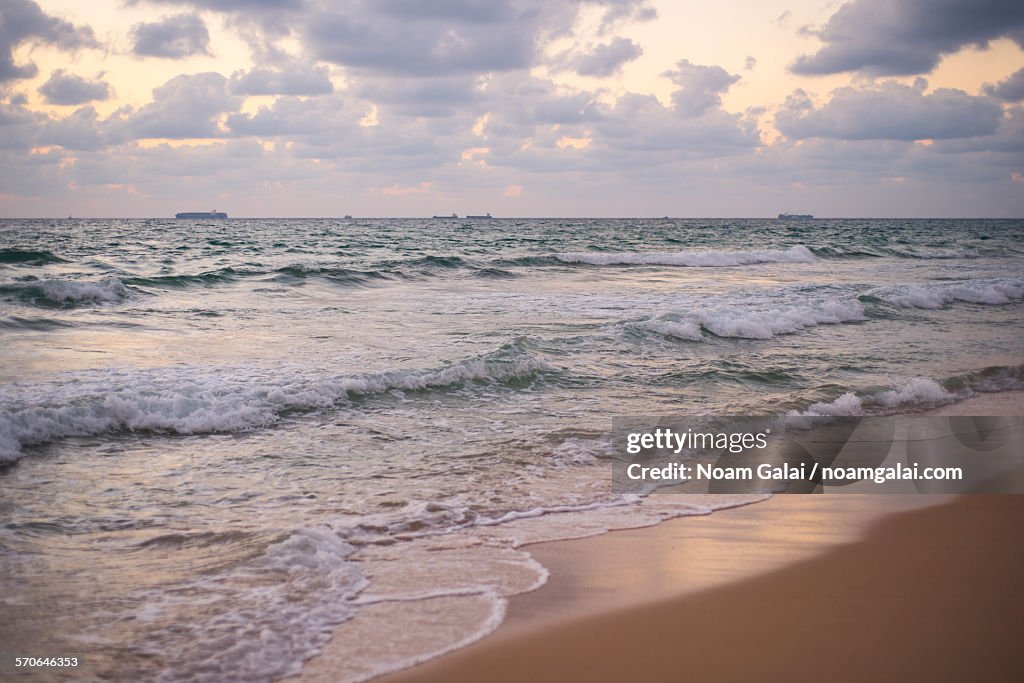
point(186, 107)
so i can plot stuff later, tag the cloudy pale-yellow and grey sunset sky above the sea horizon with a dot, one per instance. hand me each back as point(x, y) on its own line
point(517, 108)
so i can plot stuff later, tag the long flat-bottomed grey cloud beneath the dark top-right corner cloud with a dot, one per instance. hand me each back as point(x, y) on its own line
point(889, 111)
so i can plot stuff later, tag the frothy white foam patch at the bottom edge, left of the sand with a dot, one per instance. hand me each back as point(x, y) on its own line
point(260, 621)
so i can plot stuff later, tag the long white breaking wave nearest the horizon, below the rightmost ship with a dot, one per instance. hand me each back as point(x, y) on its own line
point(712, 259)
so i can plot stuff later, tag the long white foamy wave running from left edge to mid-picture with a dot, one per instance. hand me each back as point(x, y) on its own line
point(191, 402)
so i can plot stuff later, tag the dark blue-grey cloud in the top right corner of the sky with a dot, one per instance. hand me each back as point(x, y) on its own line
point(906, 37)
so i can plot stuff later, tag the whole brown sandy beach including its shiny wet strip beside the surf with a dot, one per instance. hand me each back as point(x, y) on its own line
point(847, 588)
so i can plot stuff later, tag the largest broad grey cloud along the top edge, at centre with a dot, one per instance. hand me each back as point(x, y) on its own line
point(412, 38)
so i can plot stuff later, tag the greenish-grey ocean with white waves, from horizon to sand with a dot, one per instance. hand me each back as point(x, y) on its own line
point(224, 442)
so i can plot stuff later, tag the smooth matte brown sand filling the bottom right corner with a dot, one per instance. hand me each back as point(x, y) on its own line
point(931, 594)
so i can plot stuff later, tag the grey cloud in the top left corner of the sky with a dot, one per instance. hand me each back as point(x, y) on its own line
point(24, 21)
